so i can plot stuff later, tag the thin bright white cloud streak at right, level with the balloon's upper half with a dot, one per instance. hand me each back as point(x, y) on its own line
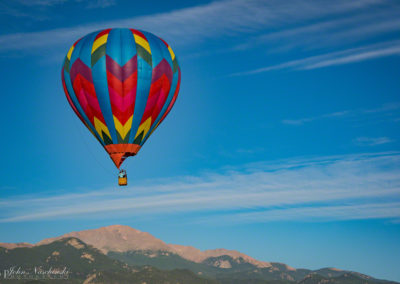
point(332, 59)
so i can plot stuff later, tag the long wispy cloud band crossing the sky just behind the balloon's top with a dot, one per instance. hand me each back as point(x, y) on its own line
point(188, 25)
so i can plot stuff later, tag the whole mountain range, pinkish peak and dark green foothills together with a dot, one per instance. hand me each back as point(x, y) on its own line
point(121, 254)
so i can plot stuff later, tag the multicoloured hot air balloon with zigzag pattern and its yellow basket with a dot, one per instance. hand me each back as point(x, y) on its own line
point(121, 83)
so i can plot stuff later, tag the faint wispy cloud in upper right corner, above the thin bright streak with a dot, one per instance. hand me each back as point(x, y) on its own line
point(347, 29)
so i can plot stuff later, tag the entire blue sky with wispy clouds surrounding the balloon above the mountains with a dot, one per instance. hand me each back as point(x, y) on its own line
point(283, 143)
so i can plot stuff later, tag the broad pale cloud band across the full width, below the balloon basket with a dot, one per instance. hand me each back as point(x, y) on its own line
point(365, 183)
